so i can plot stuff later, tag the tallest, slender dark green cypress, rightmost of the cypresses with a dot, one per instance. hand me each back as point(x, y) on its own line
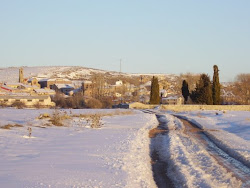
point(216, 86)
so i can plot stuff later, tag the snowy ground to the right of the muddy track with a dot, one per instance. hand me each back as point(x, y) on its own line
point(230, 130)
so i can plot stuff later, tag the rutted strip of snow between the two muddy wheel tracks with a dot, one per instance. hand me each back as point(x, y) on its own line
point(189, 163)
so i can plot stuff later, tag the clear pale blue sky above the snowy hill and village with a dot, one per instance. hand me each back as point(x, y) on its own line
point(150, 36)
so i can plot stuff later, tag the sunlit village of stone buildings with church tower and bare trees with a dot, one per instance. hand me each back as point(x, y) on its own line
point(39, 91)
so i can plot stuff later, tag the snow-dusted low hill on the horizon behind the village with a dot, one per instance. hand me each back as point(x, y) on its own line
point(77, 74)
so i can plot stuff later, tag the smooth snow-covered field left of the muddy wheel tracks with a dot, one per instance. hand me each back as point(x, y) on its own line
point(115, 155)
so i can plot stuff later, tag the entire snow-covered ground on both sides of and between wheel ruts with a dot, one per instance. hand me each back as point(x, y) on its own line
point(118, 153)
